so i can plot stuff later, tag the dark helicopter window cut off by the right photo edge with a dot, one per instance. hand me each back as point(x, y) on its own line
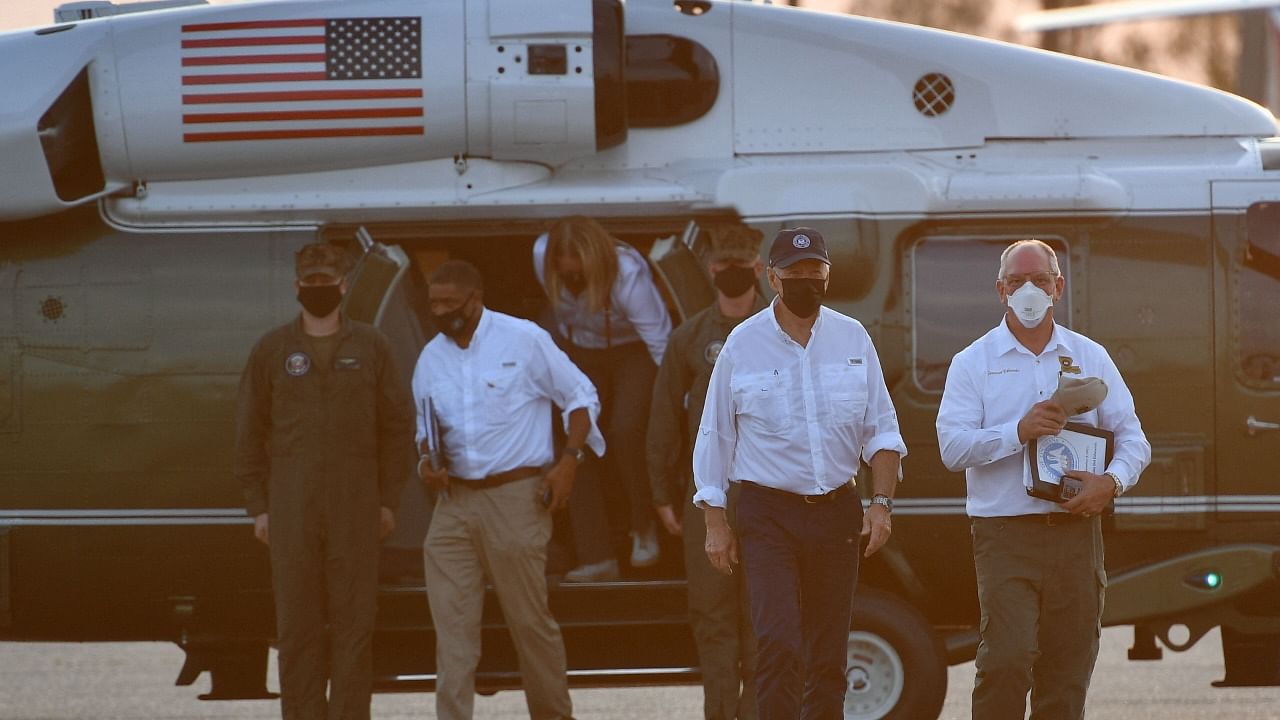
point(1258, 295)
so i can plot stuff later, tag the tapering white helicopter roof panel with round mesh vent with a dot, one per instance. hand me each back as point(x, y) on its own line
point(854, 81)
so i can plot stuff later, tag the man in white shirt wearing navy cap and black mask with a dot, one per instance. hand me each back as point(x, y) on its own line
point(796, 400)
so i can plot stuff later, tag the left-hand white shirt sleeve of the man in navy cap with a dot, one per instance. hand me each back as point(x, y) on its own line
point(717, 436)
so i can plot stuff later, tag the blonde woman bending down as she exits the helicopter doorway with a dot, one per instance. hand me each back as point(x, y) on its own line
point(615, 326)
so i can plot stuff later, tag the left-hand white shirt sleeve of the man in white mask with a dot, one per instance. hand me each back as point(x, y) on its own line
point(963, 441)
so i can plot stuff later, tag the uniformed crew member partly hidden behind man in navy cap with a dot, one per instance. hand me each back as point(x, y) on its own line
point(717, 603)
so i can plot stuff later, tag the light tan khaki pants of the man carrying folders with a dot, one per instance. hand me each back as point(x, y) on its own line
point(500, 534)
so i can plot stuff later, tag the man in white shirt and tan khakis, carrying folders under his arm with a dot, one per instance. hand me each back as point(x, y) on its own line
point(492, 381)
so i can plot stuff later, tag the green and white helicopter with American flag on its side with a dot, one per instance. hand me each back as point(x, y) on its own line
point(163, 163)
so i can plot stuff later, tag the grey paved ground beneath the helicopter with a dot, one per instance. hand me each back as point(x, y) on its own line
point(134, 682)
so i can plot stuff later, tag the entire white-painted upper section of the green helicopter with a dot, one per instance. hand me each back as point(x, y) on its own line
point(794, 88)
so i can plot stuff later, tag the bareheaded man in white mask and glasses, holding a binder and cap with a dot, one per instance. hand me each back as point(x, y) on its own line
point(1040, 566)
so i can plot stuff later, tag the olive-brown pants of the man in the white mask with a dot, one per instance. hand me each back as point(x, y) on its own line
point(1041, 590)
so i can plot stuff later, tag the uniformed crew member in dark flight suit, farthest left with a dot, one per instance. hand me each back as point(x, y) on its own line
point(323, 436)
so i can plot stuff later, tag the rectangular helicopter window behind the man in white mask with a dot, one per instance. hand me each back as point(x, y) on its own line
point(954, 302)
